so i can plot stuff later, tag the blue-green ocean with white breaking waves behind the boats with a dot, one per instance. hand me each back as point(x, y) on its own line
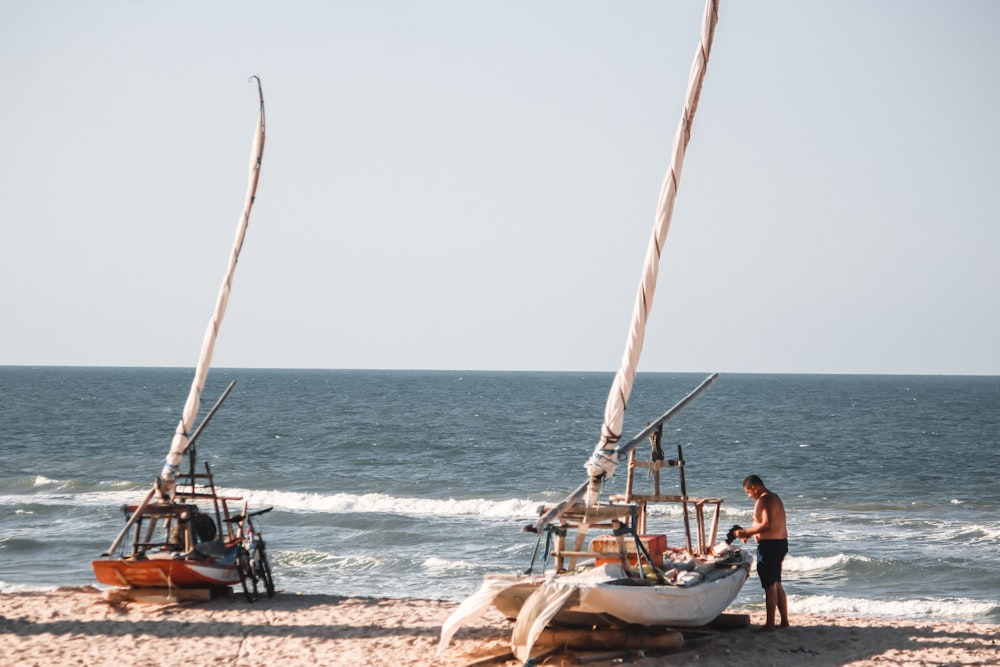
point(415, 484)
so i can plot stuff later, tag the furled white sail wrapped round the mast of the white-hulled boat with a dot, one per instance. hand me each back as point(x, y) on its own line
point(604, 460)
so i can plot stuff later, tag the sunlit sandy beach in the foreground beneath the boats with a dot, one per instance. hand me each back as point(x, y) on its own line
point(78, 626)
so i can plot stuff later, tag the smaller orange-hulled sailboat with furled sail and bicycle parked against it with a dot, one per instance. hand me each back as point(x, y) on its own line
point(184, 535)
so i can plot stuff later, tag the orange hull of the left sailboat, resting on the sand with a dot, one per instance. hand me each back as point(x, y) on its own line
point(166, 572)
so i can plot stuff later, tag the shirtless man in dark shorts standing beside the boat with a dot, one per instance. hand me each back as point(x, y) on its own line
point(772, 545)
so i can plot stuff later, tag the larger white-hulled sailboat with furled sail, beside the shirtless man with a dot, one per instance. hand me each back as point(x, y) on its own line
point(630, 577)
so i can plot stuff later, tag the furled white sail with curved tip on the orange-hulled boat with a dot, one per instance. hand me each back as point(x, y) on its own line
point(181, 439)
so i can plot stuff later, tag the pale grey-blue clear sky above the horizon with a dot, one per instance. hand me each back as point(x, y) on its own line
point(472, 185)
